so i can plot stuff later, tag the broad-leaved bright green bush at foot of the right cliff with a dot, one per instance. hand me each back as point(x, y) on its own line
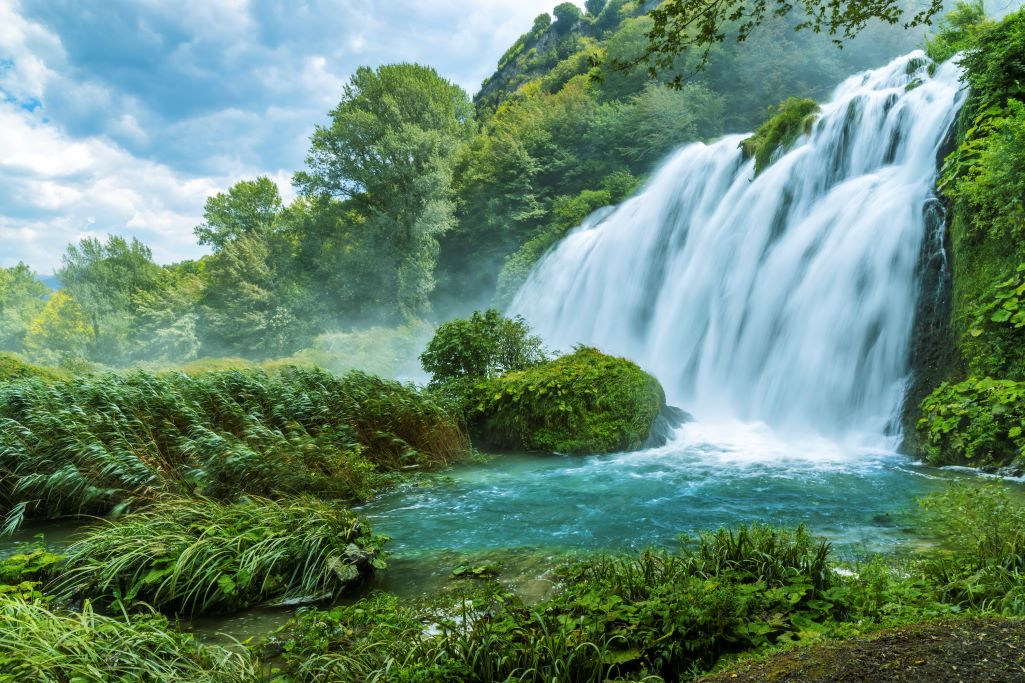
point(979, 422)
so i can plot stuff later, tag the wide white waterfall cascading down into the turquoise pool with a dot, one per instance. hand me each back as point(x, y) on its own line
point(786, 300)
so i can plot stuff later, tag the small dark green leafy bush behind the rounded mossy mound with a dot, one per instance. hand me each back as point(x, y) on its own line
point(481, 347)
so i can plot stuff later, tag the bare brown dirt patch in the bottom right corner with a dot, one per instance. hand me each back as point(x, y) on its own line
point(989, 651)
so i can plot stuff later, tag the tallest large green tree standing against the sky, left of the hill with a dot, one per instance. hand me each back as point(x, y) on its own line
point(392, 144)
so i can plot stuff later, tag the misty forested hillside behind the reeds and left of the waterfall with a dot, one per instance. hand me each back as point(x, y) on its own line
point(419, 204)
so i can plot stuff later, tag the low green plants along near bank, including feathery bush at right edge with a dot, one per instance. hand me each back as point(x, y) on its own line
point(666, 617)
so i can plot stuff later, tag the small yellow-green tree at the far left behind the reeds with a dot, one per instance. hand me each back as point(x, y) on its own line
point(61, 332)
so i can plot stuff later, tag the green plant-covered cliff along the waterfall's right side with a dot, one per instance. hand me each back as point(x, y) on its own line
point(974, 418)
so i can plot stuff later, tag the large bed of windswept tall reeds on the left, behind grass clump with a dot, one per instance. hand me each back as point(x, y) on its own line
point(100, 444)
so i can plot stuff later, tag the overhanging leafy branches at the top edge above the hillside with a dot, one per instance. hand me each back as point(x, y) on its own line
point(681, 26)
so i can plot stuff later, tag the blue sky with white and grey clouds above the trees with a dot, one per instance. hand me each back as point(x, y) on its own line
point(124, 116)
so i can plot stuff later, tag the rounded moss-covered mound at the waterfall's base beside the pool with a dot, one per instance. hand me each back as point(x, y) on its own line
point(586, 403)
